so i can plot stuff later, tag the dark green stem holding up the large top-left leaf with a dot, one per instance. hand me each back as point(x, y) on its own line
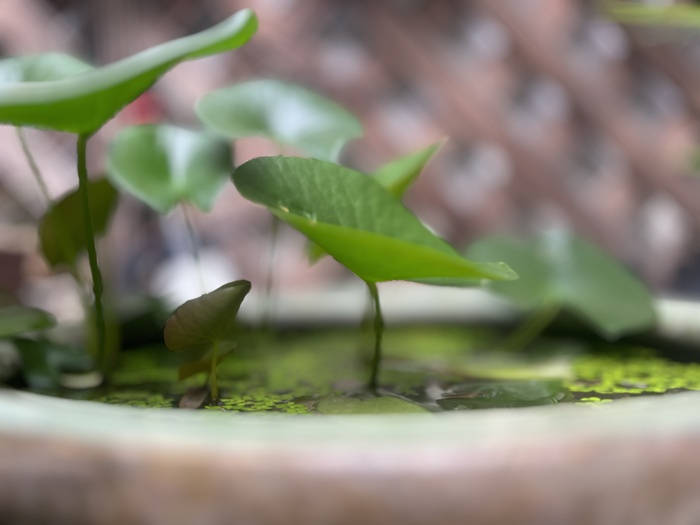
point(97, 285)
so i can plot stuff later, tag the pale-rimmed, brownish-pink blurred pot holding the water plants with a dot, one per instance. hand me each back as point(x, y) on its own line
point(634, 461)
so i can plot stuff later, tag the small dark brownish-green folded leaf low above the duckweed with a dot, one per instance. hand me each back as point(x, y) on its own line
point(200, 323)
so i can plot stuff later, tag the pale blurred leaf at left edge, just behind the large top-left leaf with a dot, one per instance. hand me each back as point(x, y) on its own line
point(40, 68)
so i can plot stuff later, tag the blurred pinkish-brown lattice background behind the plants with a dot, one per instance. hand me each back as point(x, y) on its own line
point(556, 116)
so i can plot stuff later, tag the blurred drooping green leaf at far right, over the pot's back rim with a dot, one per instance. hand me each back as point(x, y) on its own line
point(560, 268)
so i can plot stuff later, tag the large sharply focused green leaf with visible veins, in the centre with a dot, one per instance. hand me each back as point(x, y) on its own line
point(356, 221)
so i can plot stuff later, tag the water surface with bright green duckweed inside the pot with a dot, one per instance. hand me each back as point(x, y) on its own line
point(427, 369)
